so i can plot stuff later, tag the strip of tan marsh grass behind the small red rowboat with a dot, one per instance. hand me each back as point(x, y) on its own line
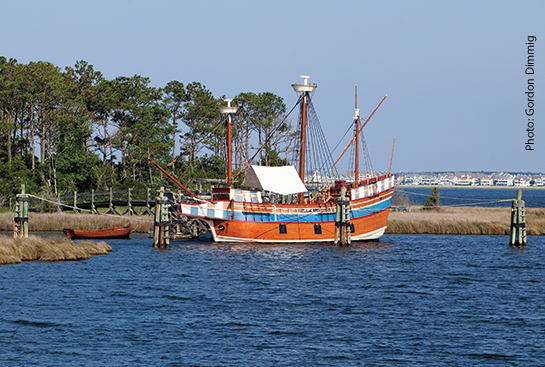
point(54, 222)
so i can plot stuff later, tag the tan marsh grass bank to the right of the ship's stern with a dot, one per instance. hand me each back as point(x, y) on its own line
point(463, 220)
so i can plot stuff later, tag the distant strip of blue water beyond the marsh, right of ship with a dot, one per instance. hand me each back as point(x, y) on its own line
point(476, 197)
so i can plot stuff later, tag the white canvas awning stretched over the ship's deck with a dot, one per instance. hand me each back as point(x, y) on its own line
point(282, 180)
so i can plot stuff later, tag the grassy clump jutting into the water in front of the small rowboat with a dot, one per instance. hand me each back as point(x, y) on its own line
point(34, 248)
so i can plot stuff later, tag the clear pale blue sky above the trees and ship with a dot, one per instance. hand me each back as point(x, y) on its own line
point(454, 71)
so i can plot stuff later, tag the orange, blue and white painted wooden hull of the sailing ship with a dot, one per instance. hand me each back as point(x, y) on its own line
point(247, 221)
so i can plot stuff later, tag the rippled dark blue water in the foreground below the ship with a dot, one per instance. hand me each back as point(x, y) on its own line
point(408, 300)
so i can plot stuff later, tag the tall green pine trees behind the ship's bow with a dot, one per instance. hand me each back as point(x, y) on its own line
point(74, 130)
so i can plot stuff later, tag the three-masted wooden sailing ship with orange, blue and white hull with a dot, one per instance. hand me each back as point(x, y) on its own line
point(290, 204)
